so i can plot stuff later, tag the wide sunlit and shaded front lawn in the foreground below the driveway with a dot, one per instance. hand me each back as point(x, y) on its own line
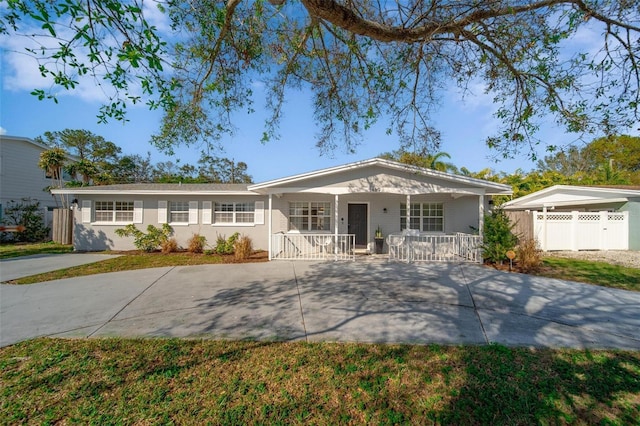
point(117, 381)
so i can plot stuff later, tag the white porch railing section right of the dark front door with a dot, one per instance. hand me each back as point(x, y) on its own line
point(414, 246)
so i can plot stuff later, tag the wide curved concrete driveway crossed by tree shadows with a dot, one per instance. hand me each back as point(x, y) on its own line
point(355, 302)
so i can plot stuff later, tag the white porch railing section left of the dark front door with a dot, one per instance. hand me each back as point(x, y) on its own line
point(312, 246)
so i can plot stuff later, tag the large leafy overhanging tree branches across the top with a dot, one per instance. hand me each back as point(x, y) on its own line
point(362, 60)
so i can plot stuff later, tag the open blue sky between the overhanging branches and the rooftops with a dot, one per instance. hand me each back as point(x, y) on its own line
point(464, 124)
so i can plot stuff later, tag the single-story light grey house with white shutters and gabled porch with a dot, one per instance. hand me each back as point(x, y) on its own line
point(322, 213)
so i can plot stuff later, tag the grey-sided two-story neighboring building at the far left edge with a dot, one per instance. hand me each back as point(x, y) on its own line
point(20, 176)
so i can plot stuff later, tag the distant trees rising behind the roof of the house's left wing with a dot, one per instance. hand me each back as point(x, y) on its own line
point(93, 160)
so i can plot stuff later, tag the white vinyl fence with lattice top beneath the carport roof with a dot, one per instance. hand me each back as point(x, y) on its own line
point(582, 230)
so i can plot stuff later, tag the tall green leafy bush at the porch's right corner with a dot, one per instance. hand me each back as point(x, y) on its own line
point(497, 238)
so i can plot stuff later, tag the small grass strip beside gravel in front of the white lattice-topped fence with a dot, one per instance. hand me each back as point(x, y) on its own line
point(598, 273)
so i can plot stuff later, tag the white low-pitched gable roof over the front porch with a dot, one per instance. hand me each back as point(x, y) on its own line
point(380, 176)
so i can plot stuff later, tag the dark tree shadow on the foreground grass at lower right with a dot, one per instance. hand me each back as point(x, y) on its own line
point(520, 386)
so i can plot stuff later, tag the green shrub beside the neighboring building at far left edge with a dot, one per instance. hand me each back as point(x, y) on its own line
point(29, 214)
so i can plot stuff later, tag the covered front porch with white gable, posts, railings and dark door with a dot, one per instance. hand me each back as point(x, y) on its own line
point(336, 214)
